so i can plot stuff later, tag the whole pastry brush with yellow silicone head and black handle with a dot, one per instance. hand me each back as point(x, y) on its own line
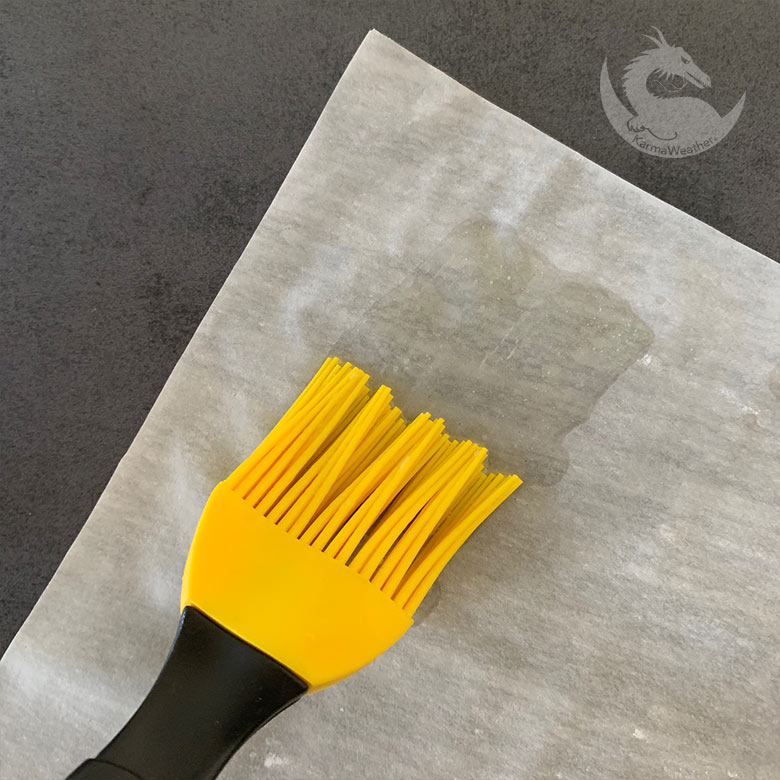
point(308, 562)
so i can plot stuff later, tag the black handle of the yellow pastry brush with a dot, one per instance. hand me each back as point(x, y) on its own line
point(214, 692)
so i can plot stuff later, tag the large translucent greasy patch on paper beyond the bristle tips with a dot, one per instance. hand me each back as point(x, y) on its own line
point(512, 351)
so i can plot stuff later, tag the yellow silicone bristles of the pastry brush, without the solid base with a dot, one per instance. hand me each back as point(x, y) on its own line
point(343, 473)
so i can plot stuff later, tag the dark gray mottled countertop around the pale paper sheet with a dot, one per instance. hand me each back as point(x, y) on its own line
point(142, 144)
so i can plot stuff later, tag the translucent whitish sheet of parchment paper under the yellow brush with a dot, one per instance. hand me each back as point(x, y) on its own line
point(618, 617)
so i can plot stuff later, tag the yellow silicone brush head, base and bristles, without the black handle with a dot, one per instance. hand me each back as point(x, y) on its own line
point(319, 547)
